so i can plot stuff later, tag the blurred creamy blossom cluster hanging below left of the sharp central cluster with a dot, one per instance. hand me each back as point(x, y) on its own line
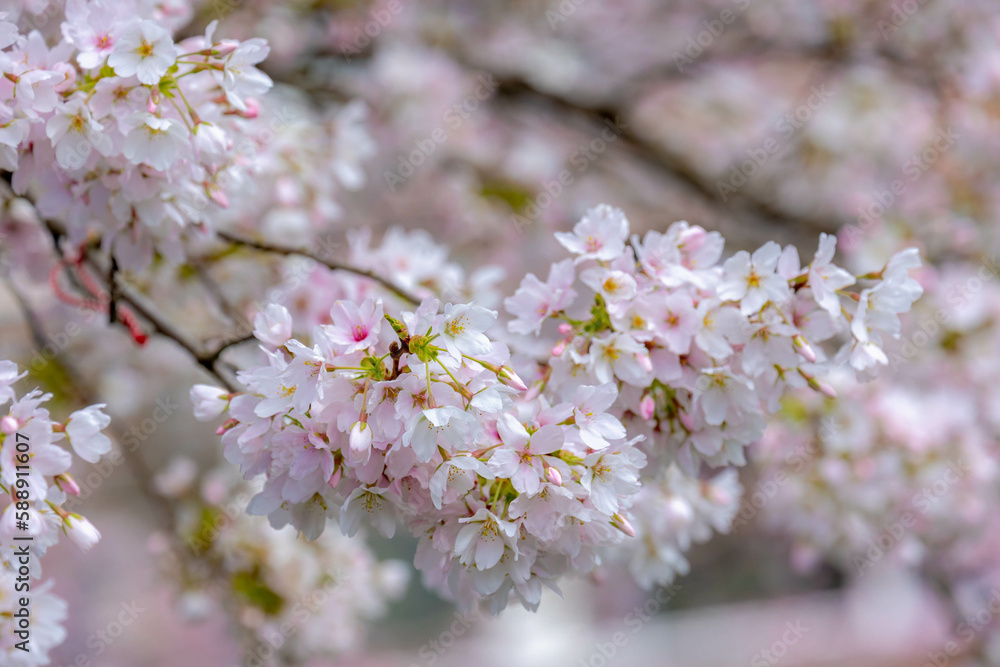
point(296, 599)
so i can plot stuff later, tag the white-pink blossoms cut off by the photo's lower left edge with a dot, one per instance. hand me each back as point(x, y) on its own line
point(35, 481)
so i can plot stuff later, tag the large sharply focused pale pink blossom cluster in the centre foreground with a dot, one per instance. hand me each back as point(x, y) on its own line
point(418, 420)
